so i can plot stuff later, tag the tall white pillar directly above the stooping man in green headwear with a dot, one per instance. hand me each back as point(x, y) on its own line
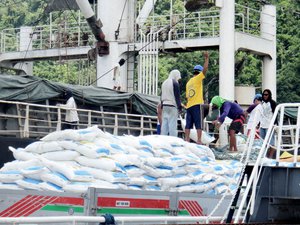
point(227, 43)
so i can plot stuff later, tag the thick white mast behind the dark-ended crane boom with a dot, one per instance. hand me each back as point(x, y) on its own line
point(110, 14)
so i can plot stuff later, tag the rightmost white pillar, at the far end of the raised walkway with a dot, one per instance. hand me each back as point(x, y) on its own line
point(268, 31)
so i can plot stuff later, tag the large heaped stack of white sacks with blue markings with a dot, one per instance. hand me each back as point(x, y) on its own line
point(73, 160)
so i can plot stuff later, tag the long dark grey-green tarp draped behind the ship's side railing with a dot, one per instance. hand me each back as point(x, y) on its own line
point(34, 89)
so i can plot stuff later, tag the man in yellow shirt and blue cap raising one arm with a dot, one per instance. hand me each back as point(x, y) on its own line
point(194, 95)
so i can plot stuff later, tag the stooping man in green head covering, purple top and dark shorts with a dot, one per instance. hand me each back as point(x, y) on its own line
point(233, 111)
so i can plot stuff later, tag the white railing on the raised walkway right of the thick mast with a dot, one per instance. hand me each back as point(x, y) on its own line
point(201, 24)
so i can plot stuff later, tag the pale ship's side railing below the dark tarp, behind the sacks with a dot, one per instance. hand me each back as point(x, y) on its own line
point(27, 120)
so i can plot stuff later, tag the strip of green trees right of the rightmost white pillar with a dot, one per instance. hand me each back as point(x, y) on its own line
point(288, 48)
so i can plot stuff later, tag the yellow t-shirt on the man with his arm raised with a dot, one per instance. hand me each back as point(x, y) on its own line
point(194, 90)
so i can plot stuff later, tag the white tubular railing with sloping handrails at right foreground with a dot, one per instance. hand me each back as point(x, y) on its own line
point(282, 144)
